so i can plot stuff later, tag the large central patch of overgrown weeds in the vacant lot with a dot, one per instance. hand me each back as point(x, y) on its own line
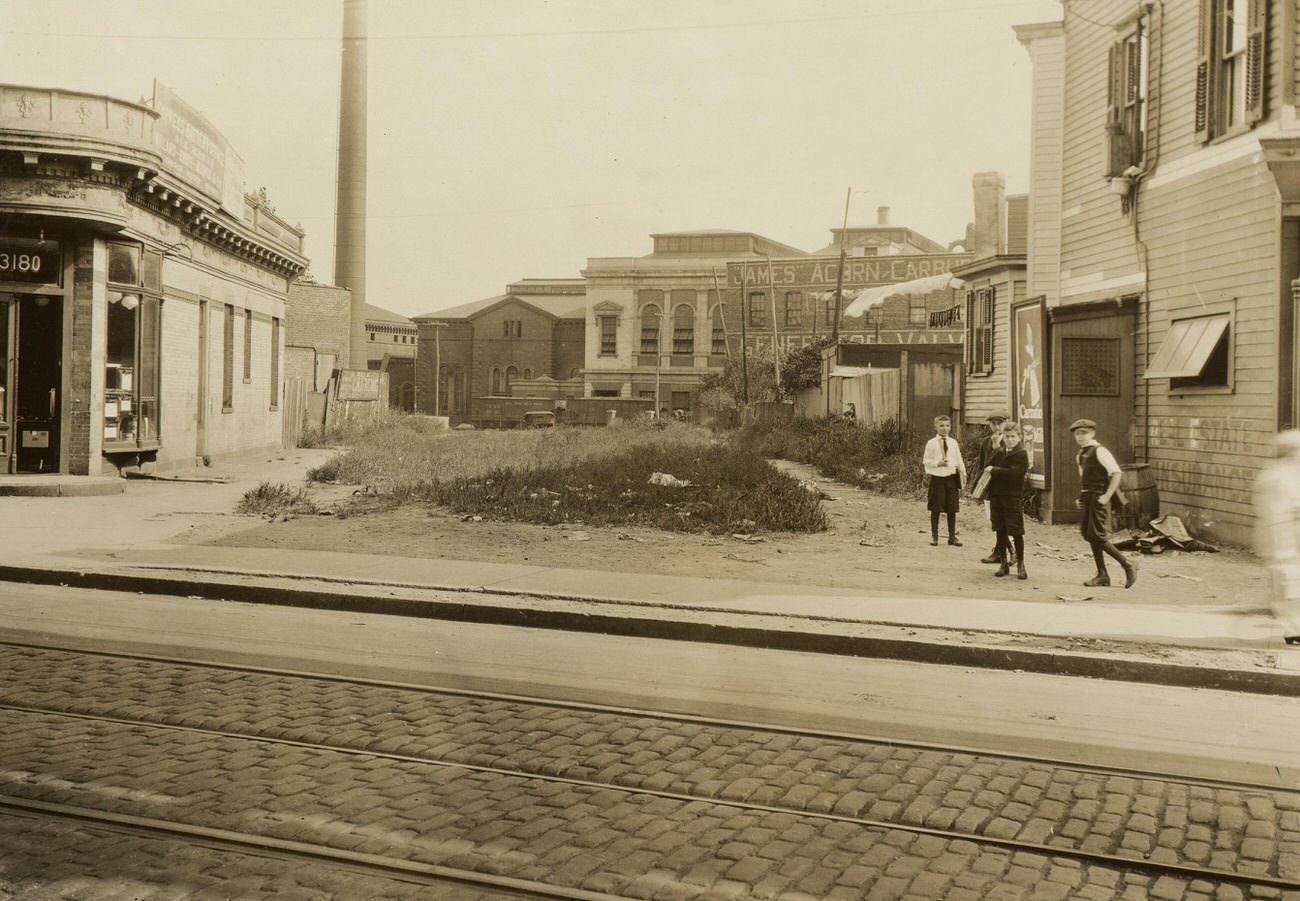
point(591, 477)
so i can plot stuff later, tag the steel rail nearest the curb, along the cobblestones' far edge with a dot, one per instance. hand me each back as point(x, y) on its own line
point(770, 729)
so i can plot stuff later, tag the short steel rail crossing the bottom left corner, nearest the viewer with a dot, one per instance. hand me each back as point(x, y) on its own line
point(391, 868)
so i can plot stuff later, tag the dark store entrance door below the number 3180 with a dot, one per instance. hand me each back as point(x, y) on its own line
point(38, 365)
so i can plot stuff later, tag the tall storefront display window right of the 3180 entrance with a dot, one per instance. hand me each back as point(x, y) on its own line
point(133, 341)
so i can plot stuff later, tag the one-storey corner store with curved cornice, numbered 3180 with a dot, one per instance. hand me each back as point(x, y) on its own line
point(142, 291)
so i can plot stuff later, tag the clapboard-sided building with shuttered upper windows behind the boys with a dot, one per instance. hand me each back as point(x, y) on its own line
point(1165, 241)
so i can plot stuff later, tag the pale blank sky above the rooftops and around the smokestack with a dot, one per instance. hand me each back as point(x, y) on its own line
point(517, 138)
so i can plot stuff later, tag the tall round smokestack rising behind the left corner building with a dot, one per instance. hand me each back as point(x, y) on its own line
point(350, 210)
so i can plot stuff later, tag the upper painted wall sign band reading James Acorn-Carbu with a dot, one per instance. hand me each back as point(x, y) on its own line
point(859, 272)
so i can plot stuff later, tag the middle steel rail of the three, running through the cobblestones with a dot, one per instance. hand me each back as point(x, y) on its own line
point(1111, 861)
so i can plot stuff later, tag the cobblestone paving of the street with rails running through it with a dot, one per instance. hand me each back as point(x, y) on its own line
point(622, 804)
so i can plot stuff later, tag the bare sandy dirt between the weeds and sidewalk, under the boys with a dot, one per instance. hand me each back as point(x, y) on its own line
point(876, 544)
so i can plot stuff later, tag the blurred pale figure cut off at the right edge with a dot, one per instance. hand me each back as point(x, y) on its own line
point(1279, 530)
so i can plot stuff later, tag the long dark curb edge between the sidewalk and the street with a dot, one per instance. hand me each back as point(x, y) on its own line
point(678, 630)
